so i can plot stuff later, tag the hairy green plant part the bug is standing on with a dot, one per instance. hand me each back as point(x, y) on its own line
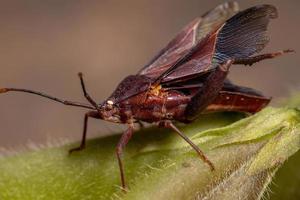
point(159, 165)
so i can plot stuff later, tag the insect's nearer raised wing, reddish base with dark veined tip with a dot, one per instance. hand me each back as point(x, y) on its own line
point(239, 37)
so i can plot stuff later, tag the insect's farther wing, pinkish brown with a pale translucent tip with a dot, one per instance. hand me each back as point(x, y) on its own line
point(188, 38)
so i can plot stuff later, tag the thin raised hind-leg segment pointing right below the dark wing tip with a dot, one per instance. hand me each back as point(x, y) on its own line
point(251, 60)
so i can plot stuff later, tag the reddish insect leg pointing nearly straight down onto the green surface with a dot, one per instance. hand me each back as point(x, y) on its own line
point(119, 150)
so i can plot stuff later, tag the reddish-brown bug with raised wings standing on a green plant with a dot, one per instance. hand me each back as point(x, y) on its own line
point(187, 77)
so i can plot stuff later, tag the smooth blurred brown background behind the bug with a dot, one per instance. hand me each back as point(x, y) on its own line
point(44, 44)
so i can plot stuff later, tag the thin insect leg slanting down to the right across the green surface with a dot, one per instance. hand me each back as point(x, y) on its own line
point(169, 124)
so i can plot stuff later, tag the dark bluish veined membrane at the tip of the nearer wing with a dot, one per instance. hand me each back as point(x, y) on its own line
point(245, 34)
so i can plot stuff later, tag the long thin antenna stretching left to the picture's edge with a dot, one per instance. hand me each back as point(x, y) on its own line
point(65, 102)
